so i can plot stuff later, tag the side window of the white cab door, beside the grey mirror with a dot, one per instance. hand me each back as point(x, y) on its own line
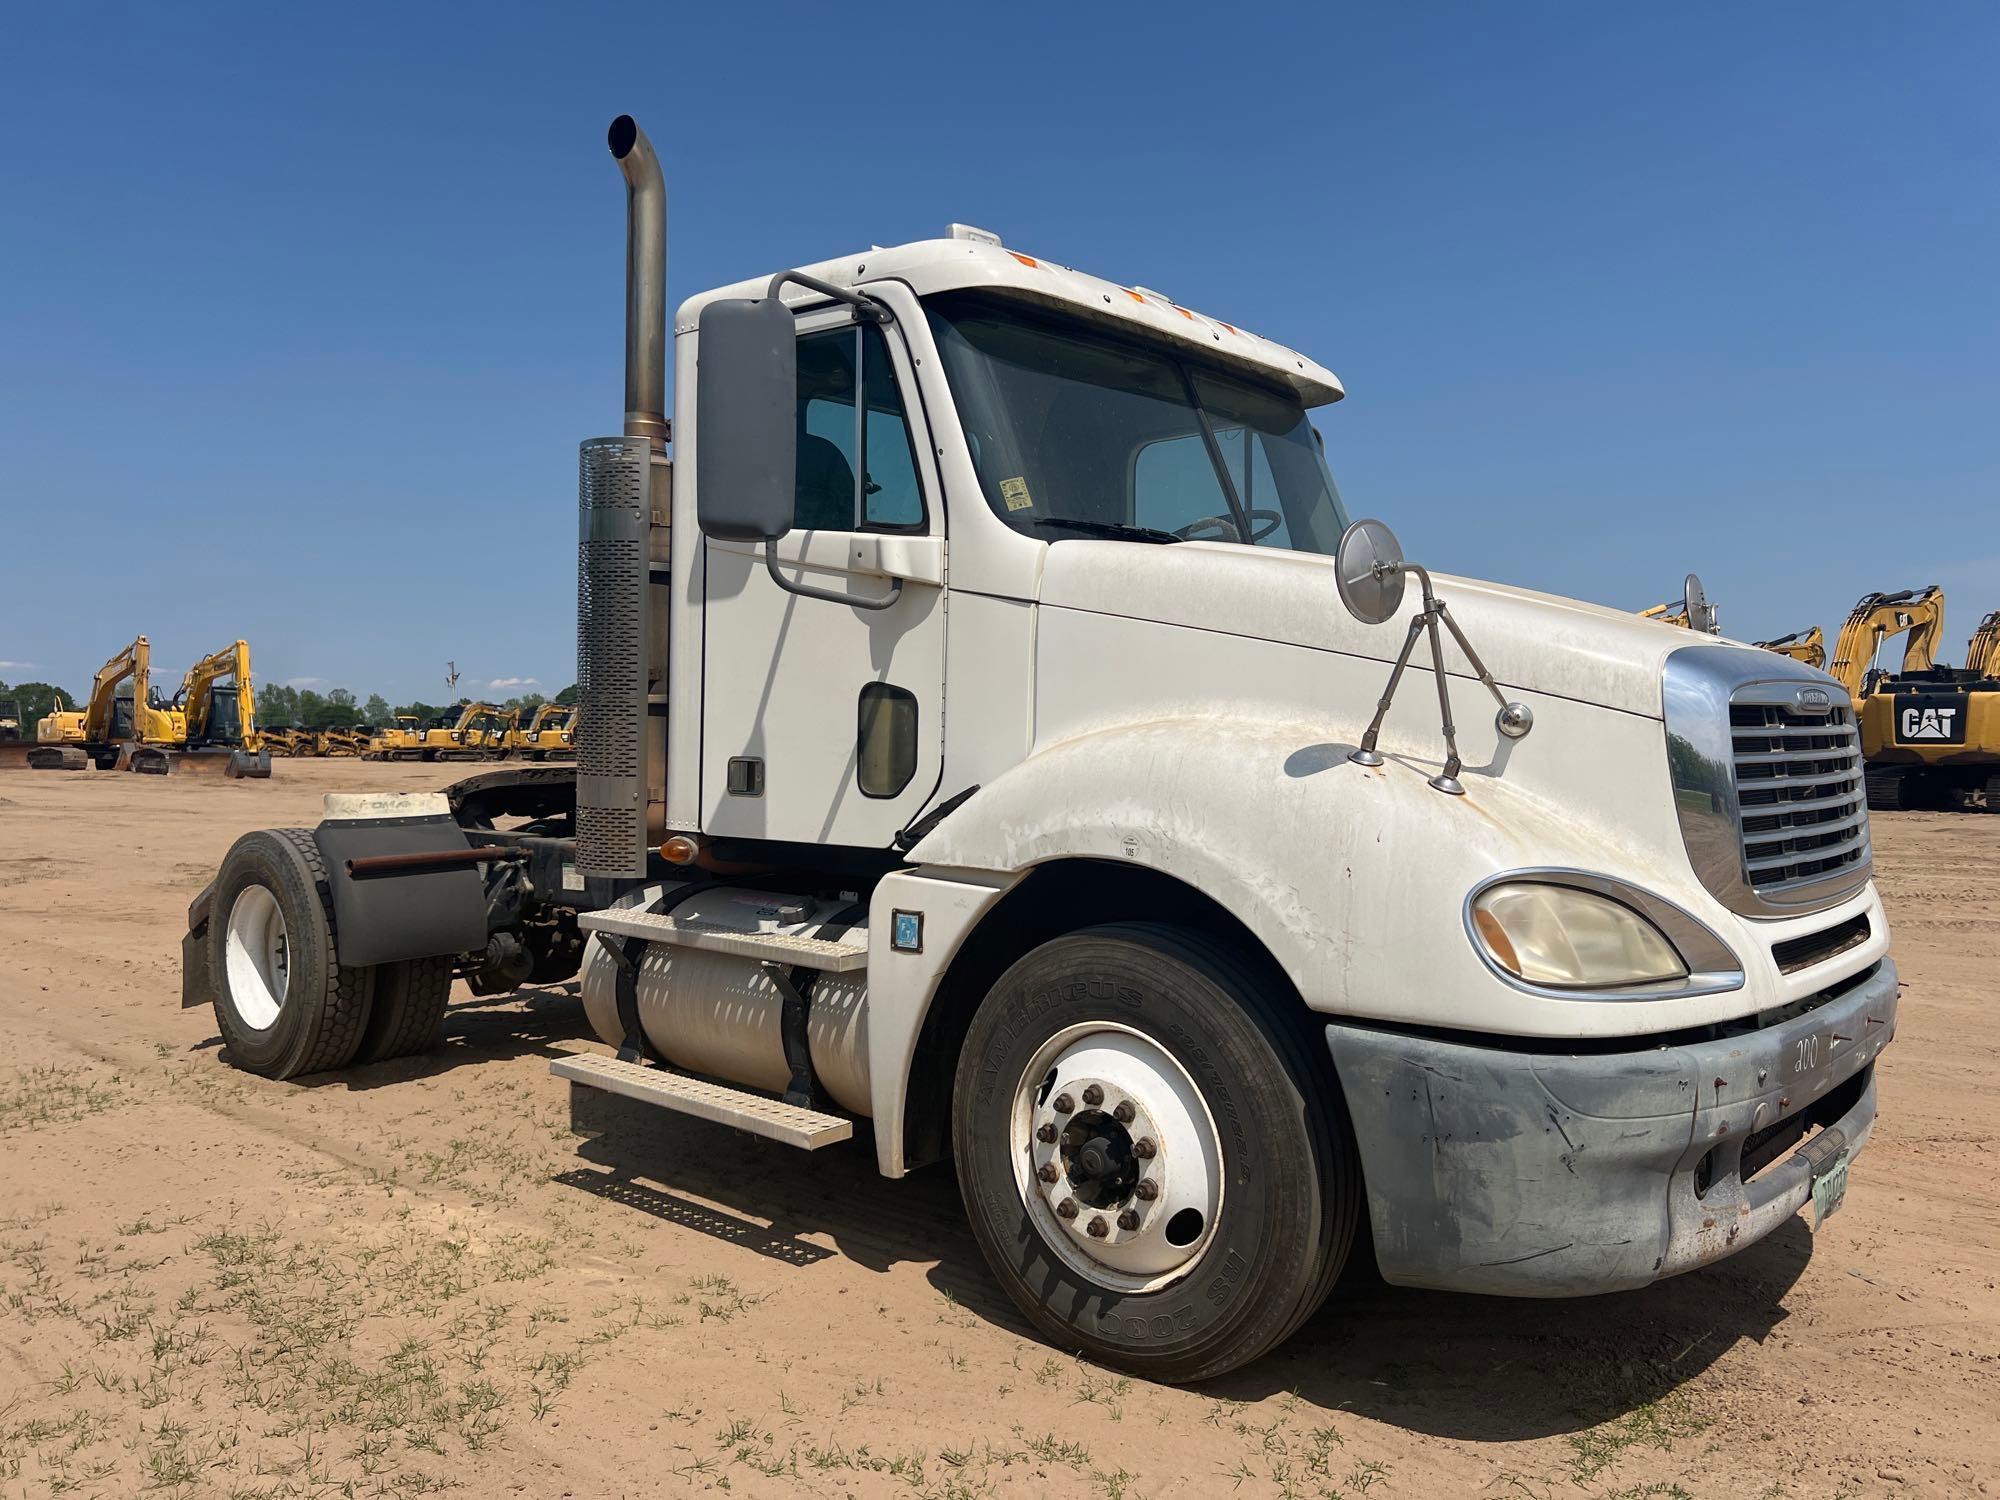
point(857, 465)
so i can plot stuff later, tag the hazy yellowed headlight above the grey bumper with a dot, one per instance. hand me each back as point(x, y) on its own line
point(1567, 937)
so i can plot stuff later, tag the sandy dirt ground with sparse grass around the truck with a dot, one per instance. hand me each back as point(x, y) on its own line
point(411, 1279)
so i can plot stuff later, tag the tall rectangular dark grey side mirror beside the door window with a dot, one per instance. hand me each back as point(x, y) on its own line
point(747, 421)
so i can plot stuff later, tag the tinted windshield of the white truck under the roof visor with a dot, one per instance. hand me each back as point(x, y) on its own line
point(1079, 433)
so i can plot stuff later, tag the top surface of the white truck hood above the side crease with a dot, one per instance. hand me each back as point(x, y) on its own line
point(1533, 643)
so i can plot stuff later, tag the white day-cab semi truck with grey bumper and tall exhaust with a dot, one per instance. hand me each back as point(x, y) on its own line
point(991, 729)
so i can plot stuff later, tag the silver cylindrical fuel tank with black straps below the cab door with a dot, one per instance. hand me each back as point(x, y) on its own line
point(719, 1015)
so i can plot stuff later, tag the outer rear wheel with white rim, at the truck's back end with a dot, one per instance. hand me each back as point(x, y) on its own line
point(283, 1001)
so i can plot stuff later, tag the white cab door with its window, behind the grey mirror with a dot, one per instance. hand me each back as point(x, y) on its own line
point(823, 721)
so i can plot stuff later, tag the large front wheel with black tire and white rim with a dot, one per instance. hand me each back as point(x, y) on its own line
point(1151, 1165)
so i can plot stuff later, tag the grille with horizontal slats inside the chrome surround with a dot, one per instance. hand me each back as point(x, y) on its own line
point(1801, 809)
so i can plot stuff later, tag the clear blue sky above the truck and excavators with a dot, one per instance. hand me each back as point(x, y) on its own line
point(305, 313)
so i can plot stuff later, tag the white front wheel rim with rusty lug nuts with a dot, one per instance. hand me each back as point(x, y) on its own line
point(1127, 1181)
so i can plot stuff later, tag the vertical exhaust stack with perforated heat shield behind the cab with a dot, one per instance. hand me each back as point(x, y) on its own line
point(625, 499)
